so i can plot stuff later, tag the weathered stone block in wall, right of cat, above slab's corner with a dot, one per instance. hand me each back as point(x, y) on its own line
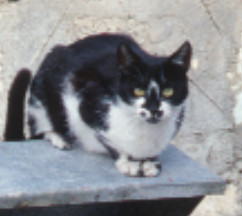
point(213, 149)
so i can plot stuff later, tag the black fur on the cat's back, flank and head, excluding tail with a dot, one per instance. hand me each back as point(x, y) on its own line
point(99, 67)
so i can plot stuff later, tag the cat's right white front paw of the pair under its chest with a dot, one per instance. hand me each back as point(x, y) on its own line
point(151, 168)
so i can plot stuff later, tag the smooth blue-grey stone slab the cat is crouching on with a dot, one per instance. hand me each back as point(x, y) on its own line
point(36, 174)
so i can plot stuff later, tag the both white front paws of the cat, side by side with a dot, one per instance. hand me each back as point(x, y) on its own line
point(138, 168)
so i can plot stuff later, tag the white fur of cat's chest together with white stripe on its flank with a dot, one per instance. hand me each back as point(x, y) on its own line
point(128, 133)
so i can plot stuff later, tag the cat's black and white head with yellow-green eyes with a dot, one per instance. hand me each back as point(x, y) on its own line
point(156, 87)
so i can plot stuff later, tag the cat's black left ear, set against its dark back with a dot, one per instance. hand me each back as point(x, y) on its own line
point(125, 56)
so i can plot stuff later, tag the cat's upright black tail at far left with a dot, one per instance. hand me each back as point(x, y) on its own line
point(15, 112)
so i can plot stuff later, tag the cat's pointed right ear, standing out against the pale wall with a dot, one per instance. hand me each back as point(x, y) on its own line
point(182, 57)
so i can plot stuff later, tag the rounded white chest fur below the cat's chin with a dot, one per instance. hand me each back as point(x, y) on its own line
point(129, 134)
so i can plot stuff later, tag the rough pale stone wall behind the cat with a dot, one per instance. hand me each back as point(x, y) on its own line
point(212, 130)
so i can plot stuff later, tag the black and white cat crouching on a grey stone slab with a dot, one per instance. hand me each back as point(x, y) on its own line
point(106, 94)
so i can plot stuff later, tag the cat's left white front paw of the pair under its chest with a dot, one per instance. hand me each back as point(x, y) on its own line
point(126, 167)
